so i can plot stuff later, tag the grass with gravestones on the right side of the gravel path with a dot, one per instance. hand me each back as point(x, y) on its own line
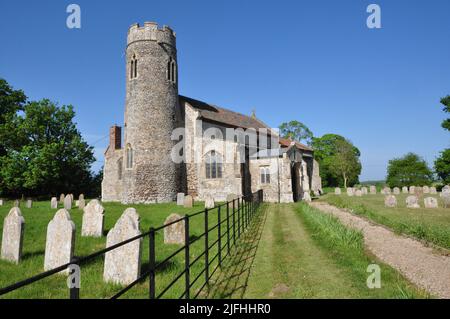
point(428, 224)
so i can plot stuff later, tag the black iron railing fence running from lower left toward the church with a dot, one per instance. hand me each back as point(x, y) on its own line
point(239, 213)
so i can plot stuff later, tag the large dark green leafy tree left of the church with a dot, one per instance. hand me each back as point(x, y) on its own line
point(51, 157)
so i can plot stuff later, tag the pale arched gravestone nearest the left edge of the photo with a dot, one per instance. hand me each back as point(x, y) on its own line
point(12, 239)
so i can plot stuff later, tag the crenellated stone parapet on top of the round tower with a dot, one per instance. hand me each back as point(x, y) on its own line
point(150, 32)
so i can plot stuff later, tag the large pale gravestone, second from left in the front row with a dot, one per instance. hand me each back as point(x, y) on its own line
point(60, 242)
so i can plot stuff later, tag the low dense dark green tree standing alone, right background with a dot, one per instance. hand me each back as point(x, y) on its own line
point(407, 171)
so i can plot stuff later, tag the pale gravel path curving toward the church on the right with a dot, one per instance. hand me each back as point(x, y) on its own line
point(420, 264)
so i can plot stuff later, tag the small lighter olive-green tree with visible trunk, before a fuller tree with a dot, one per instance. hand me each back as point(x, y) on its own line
point(344, 163)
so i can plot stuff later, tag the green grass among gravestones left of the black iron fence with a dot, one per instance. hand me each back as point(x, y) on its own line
point(92, 285)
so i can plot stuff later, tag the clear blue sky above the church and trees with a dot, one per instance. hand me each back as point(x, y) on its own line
point(313, 61)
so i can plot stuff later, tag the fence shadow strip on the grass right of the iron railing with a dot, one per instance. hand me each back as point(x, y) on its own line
point(232, 280)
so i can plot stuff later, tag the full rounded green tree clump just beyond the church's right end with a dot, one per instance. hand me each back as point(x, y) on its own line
point(338, 159)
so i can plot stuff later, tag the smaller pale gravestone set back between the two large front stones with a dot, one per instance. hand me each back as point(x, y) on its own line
point(93, 219)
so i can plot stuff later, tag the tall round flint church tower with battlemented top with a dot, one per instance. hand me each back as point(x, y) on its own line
point(149, 174)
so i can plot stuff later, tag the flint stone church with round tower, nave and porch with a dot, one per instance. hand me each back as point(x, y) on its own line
point(176, 144)
